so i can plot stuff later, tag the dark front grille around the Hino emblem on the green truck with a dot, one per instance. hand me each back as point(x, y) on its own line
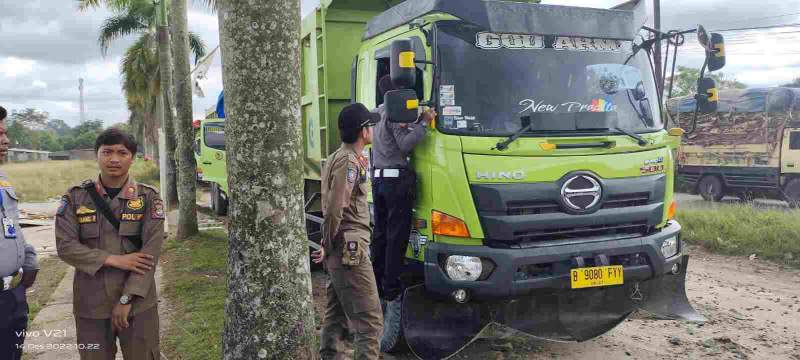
point(520, 215)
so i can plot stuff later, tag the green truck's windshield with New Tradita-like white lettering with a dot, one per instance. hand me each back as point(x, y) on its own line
point(493, 84)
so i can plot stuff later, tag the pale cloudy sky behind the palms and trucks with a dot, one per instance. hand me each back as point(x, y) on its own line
point(46, 45)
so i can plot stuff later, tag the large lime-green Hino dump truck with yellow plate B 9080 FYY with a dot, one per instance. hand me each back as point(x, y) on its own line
point(544, 198)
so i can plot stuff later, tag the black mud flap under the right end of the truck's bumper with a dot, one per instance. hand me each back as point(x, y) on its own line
point(665, 297)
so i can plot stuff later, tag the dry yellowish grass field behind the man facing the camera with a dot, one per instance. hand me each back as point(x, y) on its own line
point(45, 180)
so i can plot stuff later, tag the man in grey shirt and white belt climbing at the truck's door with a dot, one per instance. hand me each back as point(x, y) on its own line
point(393, 190)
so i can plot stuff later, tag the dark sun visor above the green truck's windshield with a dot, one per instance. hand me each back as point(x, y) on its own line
point(515, 17)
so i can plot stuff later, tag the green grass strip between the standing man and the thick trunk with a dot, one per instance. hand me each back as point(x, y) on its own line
point(194, 270)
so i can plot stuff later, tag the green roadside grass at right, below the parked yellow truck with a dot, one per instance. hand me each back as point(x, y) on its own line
point(741, 230)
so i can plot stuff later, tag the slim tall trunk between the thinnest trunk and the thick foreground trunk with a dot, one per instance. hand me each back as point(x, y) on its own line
point(187, 196)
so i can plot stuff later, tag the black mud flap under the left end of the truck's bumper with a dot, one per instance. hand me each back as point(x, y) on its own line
point(436, 329)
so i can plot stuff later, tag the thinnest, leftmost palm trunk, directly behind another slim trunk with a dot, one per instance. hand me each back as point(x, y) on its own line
point(165, 70)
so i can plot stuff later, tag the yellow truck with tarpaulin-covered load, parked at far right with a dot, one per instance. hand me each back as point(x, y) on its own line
point(749, 147)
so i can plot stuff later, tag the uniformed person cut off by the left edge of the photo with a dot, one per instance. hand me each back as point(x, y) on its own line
point(18, 265)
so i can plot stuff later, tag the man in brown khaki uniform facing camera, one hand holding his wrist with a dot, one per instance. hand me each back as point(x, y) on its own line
point(114, 295)
